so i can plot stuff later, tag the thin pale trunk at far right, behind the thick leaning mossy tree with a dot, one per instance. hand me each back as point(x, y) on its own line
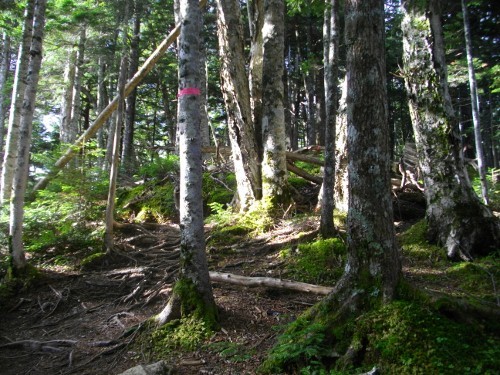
point(475, 106)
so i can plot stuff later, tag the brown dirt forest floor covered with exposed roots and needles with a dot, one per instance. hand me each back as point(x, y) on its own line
point(73, 319)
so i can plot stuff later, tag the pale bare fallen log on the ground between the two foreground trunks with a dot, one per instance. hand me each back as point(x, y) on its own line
point(268, 282)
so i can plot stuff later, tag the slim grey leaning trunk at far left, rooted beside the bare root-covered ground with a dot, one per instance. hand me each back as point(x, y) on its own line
point(16, 247)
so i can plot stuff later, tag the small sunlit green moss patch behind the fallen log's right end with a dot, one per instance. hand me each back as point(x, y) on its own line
point(319, 262)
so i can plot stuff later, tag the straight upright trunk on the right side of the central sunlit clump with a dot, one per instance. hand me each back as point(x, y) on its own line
point(274, 173)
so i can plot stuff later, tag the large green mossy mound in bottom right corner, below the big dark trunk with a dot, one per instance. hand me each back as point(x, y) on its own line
point(402, 337)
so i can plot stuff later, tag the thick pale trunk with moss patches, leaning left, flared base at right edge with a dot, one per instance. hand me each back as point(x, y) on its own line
point(456, 218)
